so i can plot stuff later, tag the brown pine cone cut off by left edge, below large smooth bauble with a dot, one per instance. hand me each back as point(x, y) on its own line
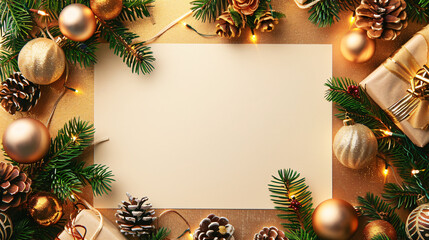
point(15, 186)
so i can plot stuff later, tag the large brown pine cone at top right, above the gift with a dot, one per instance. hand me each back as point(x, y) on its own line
point(382, 18)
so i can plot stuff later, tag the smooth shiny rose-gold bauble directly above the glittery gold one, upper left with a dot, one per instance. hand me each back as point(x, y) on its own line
point(77, 22)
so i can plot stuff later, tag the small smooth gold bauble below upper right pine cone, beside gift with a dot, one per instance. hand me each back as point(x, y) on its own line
point(357, 47)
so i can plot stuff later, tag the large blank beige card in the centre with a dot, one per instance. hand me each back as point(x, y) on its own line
point(211, 125)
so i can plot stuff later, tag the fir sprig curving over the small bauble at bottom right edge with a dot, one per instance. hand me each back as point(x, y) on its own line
point(375, 208)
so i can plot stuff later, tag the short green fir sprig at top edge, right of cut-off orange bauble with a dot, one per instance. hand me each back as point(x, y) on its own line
point(134, 9)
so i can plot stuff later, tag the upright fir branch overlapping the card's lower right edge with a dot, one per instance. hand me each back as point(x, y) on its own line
point(283, 187)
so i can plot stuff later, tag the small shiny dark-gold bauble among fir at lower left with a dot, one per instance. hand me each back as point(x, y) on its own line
point(45, 209)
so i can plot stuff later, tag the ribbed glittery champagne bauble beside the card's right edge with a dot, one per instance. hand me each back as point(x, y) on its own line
point(355, 145)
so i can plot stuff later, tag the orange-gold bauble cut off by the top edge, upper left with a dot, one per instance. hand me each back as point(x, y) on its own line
point(106, 9)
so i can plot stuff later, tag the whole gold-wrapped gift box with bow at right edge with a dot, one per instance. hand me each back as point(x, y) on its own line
point(396, 79)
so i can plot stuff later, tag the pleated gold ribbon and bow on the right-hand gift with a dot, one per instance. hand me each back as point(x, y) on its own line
point(414, 106)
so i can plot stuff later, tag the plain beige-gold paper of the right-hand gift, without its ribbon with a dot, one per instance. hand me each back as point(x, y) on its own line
point(386, 88)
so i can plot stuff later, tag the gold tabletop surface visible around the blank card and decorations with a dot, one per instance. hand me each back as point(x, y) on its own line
point(294, 29)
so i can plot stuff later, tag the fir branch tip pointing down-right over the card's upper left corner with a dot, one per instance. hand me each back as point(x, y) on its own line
point(137, 56)
